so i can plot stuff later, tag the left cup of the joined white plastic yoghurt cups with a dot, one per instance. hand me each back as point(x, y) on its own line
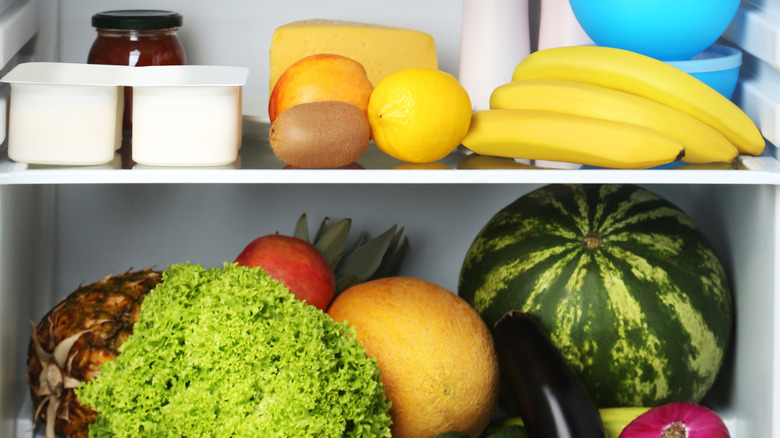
point(62, 114)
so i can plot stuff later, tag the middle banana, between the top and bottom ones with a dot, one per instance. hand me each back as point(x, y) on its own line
point(702, 142)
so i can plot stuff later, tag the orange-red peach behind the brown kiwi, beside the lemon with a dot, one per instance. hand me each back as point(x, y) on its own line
point(320, 77)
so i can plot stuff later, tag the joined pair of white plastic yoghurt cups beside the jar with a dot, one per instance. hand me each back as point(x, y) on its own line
point(71, 114)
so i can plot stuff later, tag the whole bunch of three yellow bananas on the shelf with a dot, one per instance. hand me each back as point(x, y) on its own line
point(609, 107)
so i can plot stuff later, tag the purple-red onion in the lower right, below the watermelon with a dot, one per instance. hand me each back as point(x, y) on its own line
point(677, 420)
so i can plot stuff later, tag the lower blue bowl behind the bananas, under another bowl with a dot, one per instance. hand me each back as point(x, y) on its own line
point(717, 67)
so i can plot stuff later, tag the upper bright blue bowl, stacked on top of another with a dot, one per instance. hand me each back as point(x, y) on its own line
point(669, 30)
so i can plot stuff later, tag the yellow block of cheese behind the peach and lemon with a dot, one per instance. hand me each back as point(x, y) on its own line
point(381, 49)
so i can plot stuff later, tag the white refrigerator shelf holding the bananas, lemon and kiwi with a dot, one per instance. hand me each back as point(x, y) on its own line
point(258, 165)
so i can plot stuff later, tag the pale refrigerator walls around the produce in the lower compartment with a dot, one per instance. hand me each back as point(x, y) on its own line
point(56, 237)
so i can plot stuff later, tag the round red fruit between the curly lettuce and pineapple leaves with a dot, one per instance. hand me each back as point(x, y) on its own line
point(296, 263)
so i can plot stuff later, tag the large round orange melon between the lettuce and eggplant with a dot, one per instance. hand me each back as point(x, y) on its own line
point(435, 354)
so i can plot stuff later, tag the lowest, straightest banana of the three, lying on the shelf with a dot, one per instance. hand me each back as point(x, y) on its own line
point(547, 135)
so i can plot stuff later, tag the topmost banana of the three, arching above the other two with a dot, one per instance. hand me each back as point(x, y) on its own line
point(648, 77)
